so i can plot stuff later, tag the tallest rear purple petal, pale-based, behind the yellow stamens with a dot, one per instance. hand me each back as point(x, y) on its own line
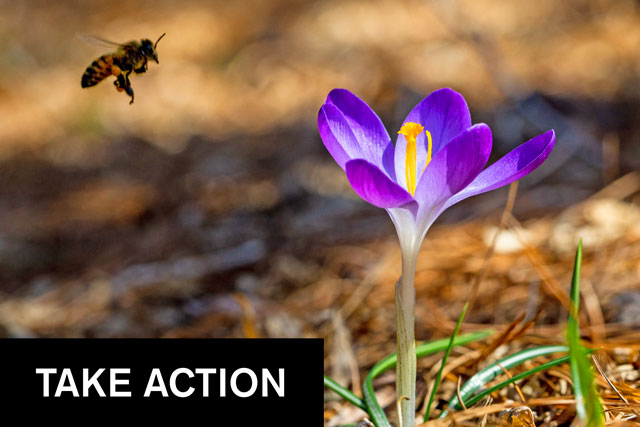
point(445, 114)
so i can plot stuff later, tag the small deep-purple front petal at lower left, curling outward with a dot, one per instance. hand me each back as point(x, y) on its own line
point(374, 186)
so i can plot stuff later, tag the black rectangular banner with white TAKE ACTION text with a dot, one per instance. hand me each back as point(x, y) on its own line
point(235, 382)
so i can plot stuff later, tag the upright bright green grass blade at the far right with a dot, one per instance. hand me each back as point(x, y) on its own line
point(588, 404)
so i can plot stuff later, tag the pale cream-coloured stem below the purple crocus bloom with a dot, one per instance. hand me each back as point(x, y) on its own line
point(405, 321)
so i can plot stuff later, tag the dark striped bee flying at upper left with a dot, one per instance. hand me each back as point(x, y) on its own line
point(131, 57)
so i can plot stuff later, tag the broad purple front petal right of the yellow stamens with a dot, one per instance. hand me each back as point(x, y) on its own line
point(454, 167)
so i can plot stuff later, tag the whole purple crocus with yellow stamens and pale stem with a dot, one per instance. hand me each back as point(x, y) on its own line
point(437, 161)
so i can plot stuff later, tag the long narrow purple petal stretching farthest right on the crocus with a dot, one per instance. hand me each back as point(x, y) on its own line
point(519, 162)
